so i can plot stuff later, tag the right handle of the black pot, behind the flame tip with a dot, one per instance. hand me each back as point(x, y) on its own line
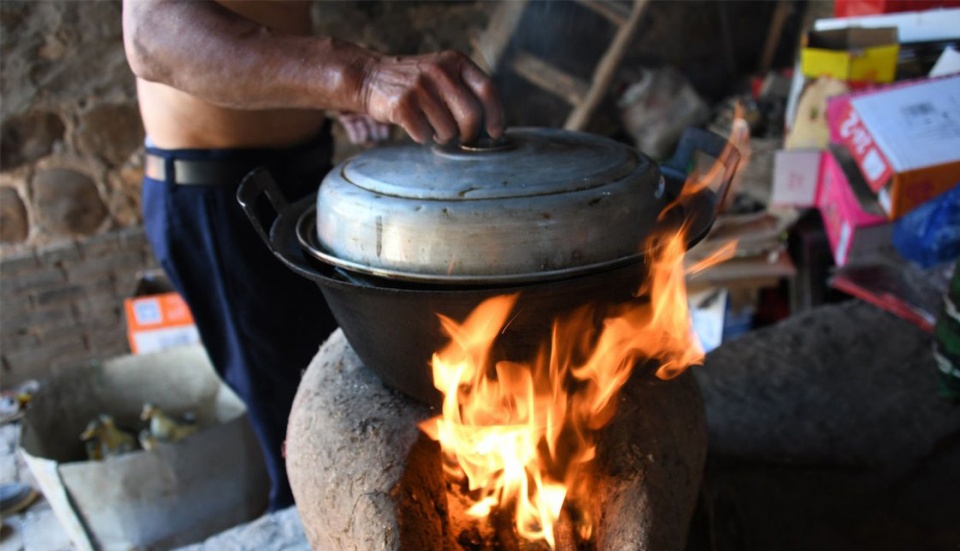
point(675, 170)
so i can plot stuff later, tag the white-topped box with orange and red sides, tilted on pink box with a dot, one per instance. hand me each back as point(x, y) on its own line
point(905, 139)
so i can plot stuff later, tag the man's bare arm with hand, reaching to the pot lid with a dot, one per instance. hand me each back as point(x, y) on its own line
point(214, 54)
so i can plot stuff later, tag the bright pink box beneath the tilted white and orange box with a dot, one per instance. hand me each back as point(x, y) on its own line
point(853, 233)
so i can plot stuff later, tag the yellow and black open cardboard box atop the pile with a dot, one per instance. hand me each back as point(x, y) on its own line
point(852, 55)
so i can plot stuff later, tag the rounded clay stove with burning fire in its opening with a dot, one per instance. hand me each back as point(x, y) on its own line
point(365, 477)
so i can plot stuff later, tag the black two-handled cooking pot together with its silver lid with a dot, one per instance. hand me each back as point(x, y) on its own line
point(399, 234)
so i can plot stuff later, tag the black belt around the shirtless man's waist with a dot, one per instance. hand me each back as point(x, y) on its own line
point(214, 172)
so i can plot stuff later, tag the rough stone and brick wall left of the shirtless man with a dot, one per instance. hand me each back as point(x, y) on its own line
point(70, 165)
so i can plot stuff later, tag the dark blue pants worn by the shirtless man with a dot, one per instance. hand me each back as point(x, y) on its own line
point(260, 323)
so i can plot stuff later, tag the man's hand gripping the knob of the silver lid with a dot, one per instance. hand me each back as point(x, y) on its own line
point(439, 96)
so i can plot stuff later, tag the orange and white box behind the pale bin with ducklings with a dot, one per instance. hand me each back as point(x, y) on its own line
point(157, 317)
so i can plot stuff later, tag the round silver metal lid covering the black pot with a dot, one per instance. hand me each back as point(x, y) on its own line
point(547, 201)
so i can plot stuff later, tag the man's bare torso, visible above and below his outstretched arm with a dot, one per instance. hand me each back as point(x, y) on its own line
point(175, 120)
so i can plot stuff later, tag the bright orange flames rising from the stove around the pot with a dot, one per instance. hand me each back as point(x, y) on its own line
point(520, 433)
